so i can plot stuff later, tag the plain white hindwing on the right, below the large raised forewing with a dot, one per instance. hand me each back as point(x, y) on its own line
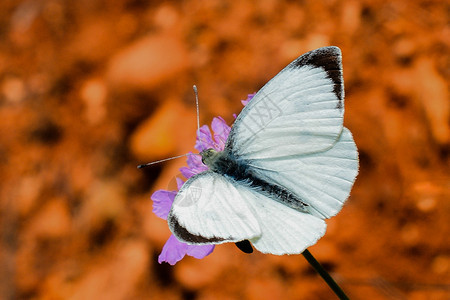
point(322, 180)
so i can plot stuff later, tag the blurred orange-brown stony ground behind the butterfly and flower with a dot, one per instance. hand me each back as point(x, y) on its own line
point(90, 89)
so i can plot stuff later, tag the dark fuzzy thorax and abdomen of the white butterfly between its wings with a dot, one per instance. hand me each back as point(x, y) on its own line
point(238, 169)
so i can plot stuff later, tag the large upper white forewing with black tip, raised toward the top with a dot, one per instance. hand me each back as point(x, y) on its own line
point(299, 111)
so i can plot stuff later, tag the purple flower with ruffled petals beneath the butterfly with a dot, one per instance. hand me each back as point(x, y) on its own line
point(174, 250)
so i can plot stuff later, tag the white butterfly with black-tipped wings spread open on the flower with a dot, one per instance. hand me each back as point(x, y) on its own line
point(288, 164)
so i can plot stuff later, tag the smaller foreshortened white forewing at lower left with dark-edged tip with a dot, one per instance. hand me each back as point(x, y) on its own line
point(209, 208)
